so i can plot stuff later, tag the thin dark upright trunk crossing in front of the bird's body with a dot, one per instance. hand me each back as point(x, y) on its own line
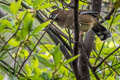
point(76, 41)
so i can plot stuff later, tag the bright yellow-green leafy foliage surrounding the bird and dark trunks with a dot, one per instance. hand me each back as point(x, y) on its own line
point(27, 52)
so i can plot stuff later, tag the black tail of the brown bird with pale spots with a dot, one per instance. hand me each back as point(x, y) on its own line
point(101, 31)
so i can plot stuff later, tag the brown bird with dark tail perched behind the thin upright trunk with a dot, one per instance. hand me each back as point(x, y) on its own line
point(87, 20)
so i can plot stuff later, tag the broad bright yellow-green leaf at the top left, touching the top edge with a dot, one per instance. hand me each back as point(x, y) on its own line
point(14, 7)
